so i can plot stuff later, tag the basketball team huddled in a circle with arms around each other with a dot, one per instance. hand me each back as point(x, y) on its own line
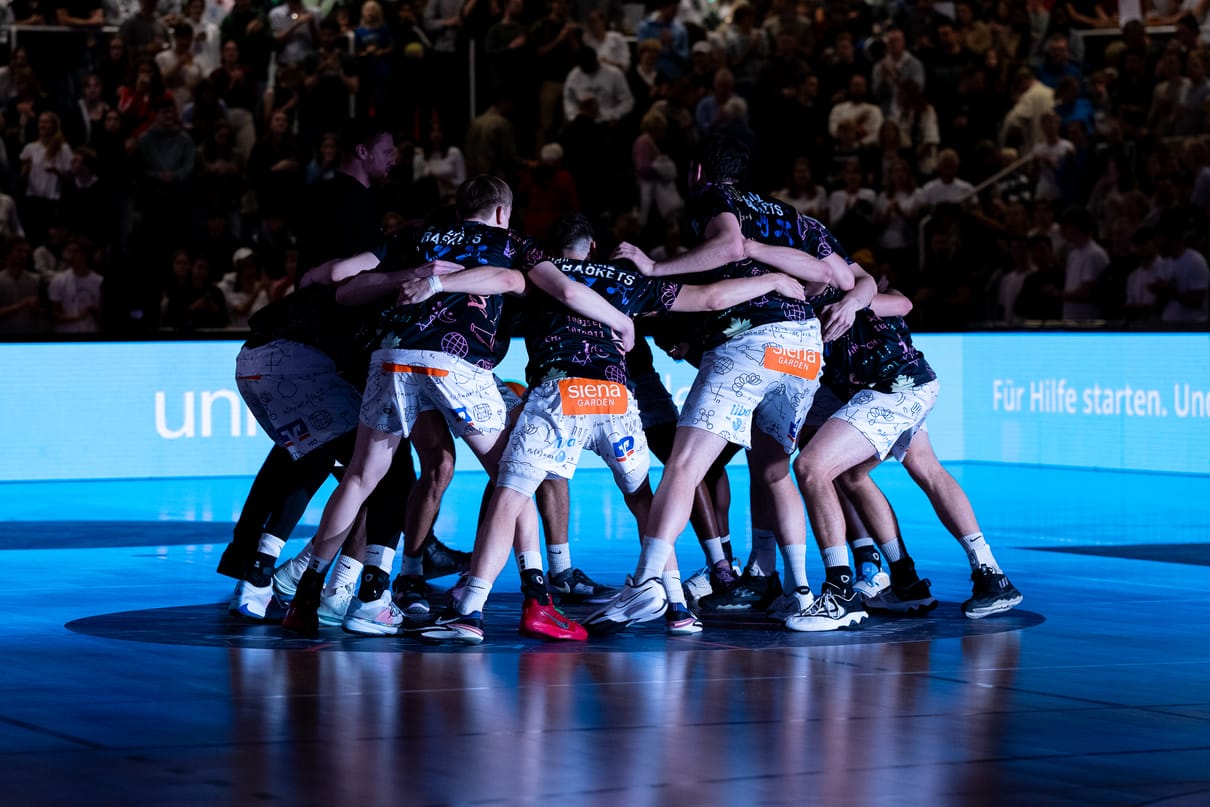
point(799, 355)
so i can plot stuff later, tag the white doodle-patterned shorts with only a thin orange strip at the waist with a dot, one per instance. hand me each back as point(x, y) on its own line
point(405, 383)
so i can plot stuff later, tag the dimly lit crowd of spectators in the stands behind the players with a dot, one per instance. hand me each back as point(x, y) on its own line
point(158, 157)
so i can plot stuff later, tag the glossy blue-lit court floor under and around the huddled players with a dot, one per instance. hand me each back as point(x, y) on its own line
point(128, 684)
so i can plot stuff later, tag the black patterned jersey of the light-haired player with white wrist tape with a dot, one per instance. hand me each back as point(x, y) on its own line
point(465, 326)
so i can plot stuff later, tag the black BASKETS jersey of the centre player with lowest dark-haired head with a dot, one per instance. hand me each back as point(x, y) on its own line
point(567, 345)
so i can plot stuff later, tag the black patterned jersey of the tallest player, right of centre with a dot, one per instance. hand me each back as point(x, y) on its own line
point(770, 222)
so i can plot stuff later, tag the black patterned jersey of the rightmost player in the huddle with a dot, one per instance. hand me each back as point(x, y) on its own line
point(877, 354)
